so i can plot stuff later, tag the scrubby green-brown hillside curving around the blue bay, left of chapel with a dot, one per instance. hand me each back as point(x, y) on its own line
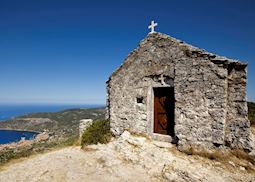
point(57, 129)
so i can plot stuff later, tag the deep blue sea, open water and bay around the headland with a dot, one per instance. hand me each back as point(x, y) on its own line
point(11, 111)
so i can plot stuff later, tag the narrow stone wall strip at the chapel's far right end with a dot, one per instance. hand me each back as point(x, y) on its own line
point(238, 134)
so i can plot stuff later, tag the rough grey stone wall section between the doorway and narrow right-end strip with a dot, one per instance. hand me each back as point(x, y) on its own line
point(201, 96)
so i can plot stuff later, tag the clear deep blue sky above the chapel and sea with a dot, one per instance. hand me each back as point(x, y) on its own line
point(63, 51)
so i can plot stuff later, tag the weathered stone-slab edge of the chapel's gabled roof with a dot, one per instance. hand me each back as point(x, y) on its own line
point(190, 51)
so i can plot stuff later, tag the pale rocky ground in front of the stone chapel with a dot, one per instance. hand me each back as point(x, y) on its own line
point(128, 158)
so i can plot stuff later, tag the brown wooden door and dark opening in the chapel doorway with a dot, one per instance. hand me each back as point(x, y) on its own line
point(164, 111)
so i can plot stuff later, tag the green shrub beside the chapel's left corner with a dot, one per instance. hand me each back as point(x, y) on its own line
point(97, 132)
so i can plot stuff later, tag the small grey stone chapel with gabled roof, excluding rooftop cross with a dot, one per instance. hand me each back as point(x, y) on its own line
point(175, 92)
